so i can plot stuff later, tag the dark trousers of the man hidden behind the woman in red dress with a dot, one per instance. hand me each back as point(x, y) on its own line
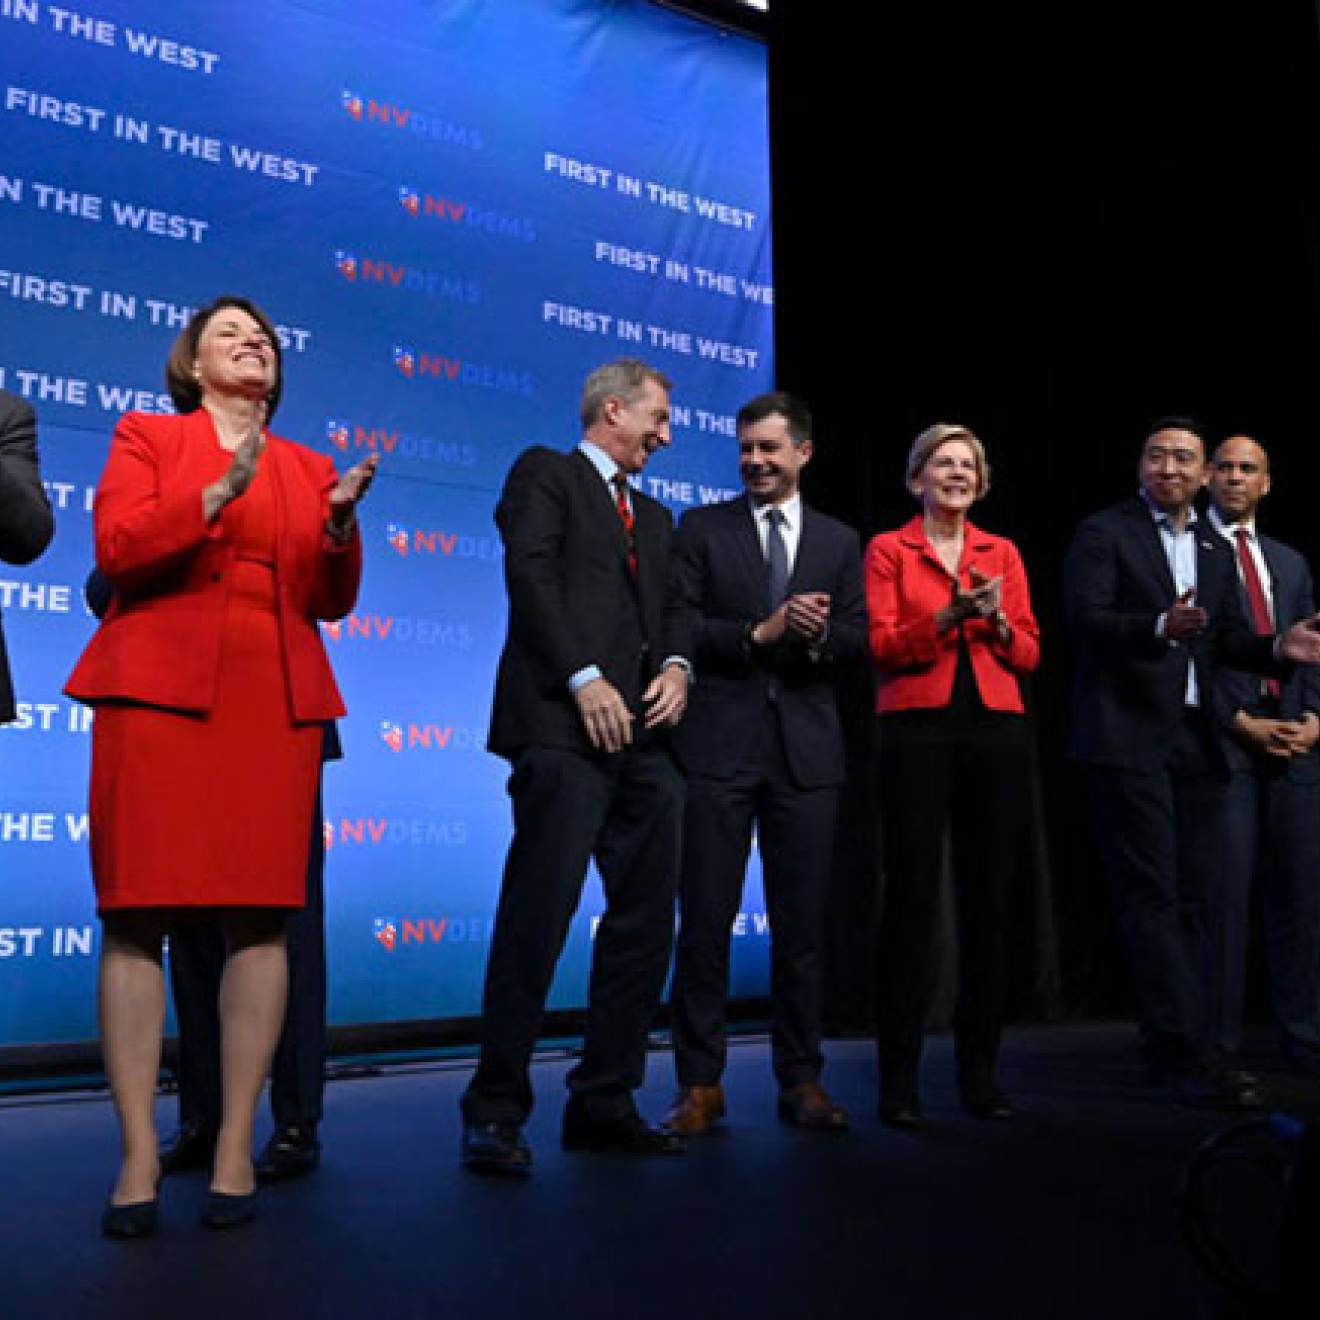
point(196, 964)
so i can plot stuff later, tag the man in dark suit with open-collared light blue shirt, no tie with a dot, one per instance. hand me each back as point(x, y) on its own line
point(1153, 608)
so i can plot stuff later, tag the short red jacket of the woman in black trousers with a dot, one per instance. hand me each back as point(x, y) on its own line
point(906, 585)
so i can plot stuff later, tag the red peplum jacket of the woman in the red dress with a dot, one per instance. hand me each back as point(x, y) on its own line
point(160, 642)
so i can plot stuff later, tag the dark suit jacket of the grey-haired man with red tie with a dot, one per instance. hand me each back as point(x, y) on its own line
point(574, 601)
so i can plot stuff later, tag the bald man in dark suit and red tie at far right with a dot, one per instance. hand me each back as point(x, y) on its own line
point(1273, 807)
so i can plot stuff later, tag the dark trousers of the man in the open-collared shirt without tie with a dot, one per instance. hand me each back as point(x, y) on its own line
point(1165, 847)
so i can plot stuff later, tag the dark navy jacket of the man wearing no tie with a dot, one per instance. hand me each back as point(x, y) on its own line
point(1129, 687)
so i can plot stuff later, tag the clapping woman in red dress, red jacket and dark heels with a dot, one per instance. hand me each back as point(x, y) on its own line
point(225, 546)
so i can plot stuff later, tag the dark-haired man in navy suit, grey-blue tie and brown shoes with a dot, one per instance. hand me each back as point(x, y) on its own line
point(775, 591)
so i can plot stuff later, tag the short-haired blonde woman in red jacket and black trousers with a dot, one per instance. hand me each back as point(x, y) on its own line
point(952, 632)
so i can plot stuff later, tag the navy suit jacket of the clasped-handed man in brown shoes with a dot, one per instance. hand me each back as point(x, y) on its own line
point(720, 580)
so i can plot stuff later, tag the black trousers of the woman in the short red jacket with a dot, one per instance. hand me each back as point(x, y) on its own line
point(967, 781)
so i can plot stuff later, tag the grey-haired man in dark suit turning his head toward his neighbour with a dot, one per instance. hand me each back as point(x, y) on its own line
point(592, 675)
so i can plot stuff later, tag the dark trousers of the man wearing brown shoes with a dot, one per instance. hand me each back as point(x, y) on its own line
point(795, 831)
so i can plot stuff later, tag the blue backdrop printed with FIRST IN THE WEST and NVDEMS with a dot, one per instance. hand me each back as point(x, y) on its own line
point(453, 211)
